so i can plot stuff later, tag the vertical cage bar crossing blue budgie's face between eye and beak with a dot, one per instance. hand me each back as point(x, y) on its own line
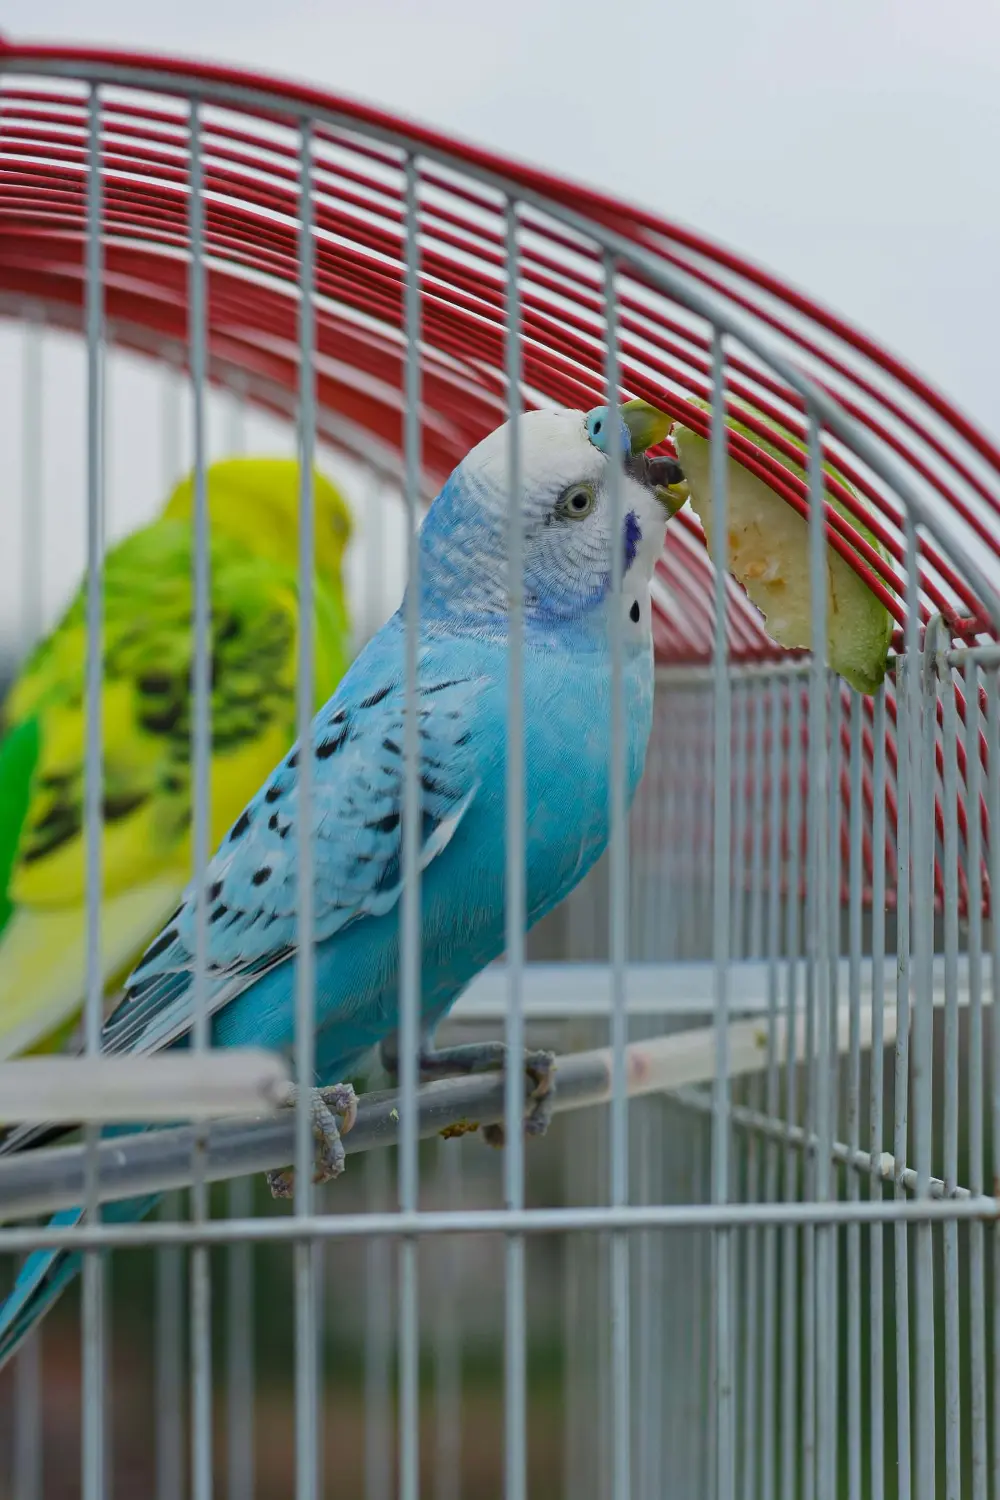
point(618, 922)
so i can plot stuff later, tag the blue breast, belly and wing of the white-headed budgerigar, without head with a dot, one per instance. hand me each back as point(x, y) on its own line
point(358, 845)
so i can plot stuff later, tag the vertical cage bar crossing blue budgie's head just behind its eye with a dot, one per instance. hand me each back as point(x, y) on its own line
point(515, 911)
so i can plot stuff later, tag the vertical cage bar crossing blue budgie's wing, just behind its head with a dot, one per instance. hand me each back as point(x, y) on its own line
point(412, 947)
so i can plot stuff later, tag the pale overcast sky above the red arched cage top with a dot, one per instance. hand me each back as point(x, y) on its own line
point(849, 146)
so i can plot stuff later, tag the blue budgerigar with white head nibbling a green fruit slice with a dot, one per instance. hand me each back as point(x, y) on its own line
point(358, 787)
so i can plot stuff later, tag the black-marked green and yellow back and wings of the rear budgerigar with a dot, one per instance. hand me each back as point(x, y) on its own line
point(148, 706)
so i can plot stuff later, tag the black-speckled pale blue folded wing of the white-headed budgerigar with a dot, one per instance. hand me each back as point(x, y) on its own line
point(253, 881)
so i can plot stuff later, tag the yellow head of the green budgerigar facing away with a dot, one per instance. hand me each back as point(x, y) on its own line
point(256, 502)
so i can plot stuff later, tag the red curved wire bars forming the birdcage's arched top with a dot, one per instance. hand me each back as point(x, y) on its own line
point(250, 148)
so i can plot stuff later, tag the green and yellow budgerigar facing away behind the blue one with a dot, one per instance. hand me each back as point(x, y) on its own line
point(146, 725)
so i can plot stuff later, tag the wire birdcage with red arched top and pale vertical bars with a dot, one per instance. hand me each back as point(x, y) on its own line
point(756, 1255)
